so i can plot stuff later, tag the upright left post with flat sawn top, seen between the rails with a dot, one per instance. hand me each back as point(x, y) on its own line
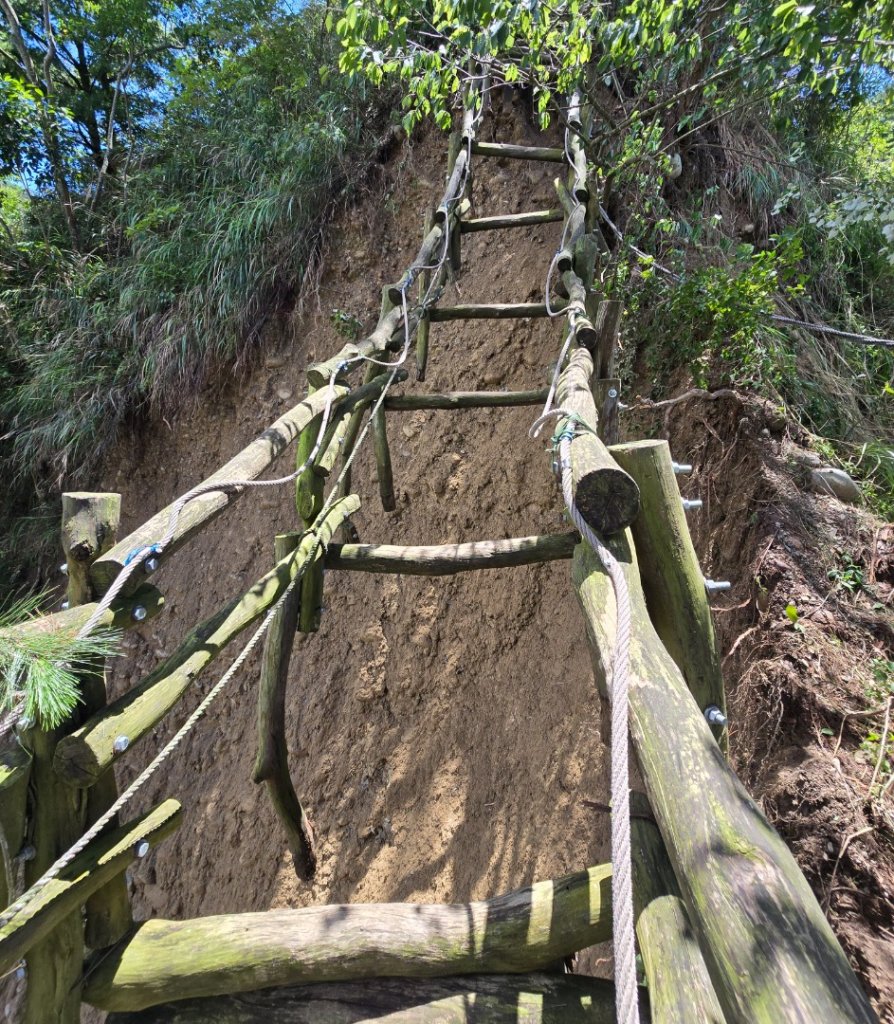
point(91, 525)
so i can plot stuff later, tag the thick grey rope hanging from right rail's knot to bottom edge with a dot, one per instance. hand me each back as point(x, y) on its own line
point(622, 877)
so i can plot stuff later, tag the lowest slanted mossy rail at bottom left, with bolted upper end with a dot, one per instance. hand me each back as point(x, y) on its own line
point(61, 899)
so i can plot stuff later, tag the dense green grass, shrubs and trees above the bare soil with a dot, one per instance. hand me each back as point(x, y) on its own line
point(166, 169)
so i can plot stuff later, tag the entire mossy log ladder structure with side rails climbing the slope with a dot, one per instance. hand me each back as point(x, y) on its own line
point(729, 928)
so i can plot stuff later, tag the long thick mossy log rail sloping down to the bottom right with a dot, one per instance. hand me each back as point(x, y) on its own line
point(771, 952)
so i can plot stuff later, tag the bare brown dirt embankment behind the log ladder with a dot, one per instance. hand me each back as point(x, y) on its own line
point(446, 734)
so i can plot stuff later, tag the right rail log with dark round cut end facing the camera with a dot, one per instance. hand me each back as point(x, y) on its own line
point(607, 496)
